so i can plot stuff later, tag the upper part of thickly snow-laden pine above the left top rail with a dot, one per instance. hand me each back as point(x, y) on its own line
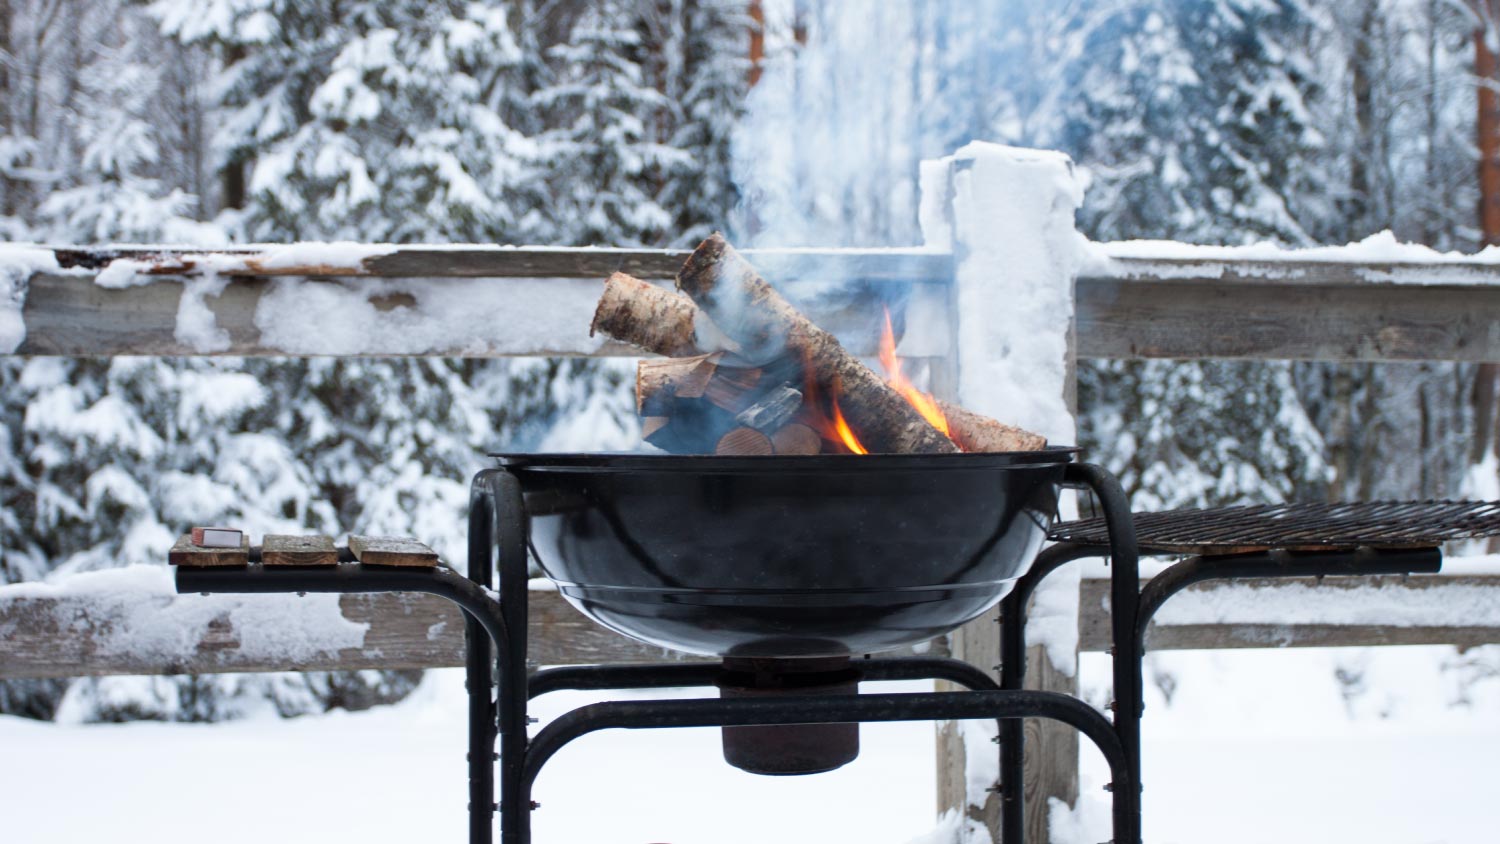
point(368, 121)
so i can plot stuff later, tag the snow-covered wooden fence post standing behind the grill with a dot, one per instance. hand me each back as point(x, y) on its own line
point(1007, 215)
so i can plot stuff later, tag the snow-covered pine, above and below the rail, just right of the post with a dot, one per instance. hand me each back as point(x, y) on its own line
point(1195, 124)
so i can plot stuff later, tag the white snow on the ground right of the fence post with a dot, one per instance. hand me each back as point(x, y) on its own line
point(1273, 746)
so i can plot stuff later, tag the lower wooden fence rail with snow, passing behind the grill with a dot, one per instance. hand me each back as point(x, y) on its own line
point(131, 623)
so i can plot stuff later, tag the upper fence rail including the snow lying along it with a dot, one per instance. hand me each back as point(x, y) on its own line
point(1372, 302)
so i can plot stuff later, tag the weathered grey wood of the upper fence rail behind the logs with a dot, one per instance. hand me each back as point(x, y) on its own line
point(1127, 307)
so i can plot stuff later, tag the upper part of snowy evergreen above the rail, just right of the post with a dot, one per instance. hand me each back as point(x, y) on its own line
point(1195, 122)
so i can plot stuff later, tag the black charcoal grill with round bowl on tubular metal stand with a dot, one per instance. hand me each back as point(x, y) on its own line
point(800, 585)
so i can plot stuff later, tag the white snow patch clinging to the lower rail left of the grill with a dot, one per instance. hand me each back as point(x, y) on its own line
point(158, 626)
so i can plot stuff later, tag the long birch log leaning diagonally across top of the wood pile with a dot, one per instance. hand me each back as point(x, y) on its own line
point(751, 313)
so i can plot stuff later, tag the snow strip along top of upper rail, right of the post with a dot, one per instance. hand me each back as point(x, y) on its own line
point(1381, 259)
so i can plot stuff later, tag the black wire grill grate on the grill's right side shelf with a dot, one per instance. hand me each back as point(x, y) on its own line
point(1313, 527)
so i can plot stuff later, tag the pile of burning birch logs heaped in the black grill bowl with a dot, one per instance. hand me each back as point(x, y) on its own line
point(743, 373)
